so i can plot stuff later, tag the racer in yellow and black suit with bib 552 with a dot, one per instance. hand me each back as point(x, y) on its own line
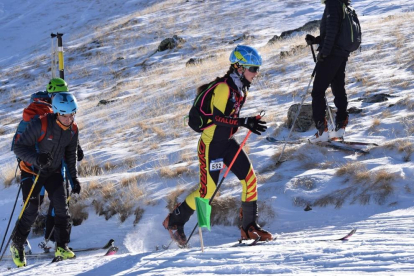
point(218, 145)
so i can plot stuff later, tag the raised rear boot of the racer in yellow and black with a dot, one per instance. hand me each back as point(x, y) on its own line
point(175, 221)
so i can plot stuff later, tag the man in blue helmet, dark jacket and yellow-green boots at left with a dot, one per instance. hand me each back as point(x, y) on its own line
point(42, 147)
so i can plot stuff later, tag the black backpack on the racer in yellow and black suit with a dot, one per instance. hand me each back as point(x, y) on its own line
point(200, 113)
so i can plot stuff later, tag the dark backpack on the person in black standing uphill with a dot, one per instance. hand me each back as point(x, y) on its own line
point(350, 35)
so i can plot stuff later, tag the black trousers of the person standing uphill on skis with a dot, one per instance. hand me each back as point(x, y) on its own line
point(331, 71)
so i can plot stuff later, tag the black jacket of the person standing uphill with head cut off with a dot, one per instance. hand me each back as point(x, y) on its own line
point(329, 29)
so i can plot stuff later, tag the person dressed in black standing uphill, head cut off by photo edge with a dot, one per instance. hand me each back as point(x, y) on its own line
point(330, 70)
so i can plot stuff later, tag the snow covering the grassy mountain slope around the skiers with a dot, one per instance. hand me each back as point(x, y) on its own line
point(105, 40)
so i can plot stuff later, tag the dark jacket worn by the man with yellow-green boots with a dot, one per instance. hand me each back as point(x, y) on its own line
point(58, 142)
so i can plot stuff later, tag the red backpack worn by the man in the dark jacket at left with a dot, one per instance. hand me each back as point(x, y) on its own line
point(35, 110)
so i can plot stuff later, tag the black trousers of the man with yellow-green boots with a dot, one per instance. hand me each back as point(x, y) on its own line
point(56, 190)
